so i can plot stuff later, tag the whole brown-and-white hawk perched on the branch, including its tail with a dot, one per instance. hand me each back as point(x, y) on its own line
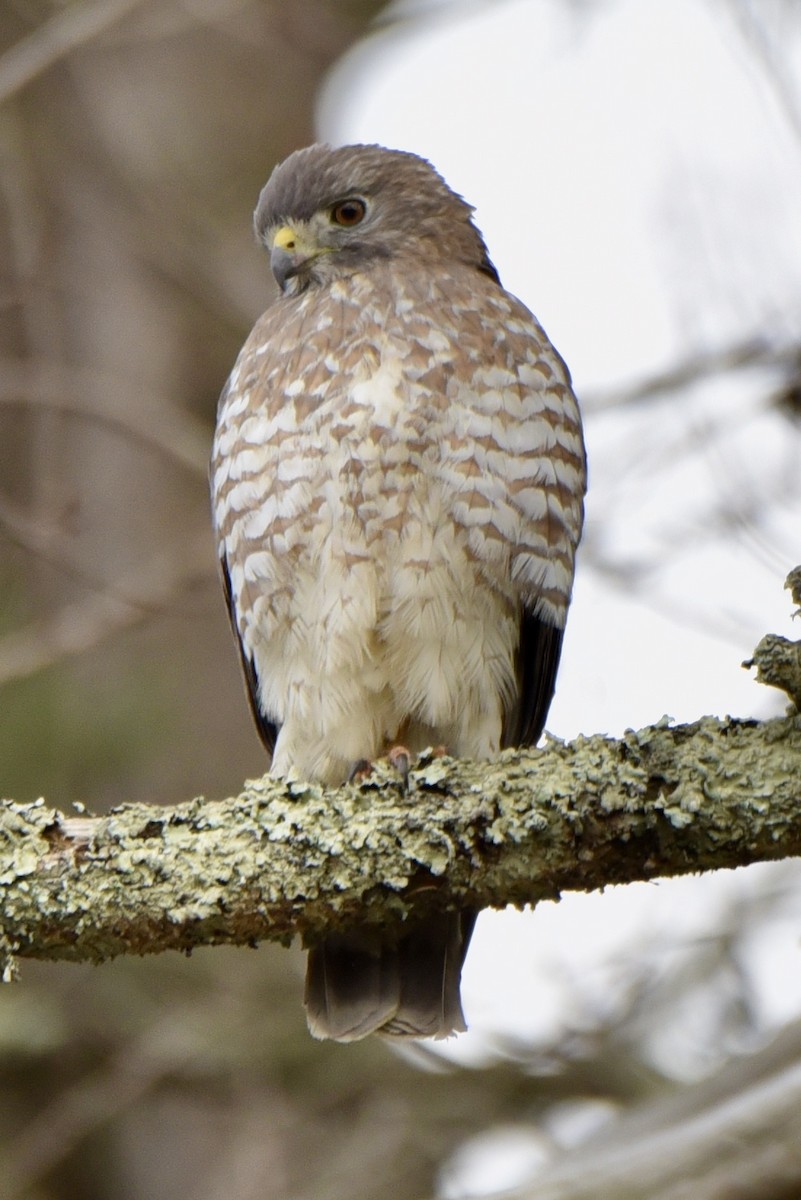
point(399, 478)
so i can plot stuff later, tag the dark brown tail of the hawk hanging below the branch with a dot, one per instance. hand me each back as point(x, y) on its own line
point(357, 986)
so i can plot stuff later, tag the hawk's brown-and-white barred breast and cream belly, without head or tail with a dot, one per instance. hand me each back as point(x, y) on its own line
point(398, 470)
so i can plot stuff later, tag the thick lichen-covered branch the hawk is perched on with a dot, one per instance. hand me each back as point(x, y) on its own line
point(297, 859)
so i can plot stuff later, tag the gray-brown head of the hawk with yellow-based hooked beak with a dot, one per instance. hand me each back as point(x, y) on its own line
point(327, 213)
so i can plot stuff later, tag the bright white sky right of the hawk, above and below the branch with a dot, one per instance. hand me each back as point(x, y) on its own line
point(636, 170)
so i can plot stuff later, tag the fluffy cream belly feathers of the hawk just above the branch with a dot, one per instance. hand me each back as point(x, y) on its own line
point(366, 631)
